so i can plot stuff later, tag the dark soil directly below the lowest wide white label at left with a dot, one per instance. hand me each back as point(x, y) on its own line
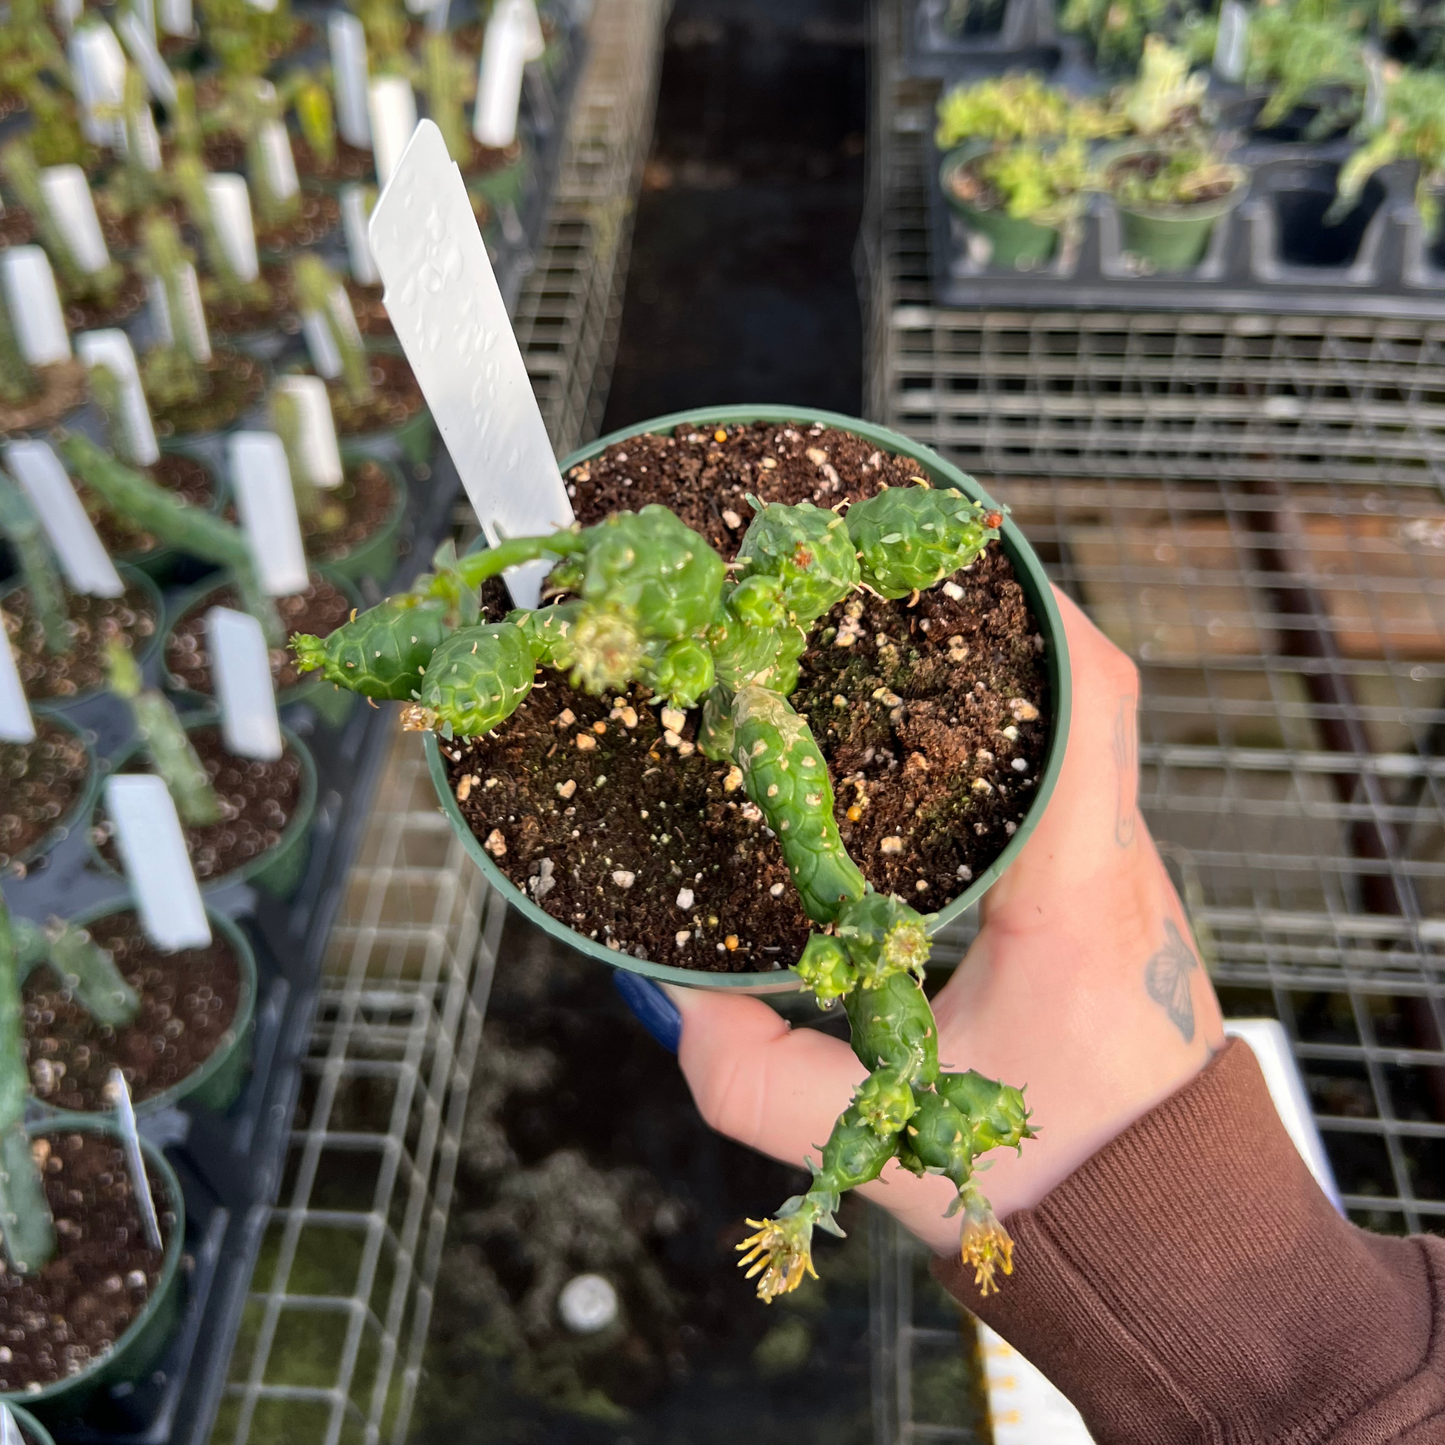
point(189, 1001)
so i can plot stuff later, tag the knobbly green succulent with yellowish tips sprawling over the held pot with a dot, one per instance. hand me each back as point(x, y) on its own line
point(652, 603)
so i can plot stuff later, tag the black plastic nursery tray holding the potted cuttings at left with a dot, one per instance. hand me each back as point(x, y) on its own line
point(232, 1164)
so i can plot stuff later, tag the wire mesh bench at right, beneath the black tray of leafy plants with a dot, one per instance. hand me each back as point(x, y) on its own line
point(1255, 509)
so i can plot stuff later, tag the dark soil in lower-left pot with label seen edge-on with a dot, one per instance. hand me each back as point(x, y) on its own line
point(60, 1320)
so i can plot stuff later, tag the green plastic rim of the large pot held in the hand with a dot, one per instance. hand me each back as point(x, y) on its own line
point(1035, 585)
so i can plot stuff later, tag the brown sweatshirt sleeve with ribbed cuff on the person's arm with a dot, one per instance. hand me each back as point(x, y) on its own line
point(1191, 1284)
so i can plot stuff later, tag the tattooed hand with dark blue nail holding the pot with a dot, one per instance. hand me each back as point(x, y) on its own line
point(1083, 985)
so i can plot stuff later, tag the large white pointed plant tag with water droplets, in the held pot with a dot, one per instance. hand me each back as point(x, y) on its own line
point(450, 319)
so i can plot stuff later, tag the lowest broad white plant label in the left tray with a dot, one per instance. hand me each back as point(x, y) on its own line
point(158, 868)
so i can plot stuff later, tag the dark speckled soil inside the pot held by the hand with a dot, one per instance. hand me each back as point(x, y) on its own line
point(924, 736)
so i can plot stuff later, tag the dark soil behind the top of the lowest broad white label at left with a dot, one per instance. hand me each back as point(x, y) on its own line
point(258, 803)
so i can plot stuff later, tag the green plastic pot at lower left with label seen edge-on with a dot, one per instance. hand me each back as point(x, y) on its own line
point(144, 1346)
